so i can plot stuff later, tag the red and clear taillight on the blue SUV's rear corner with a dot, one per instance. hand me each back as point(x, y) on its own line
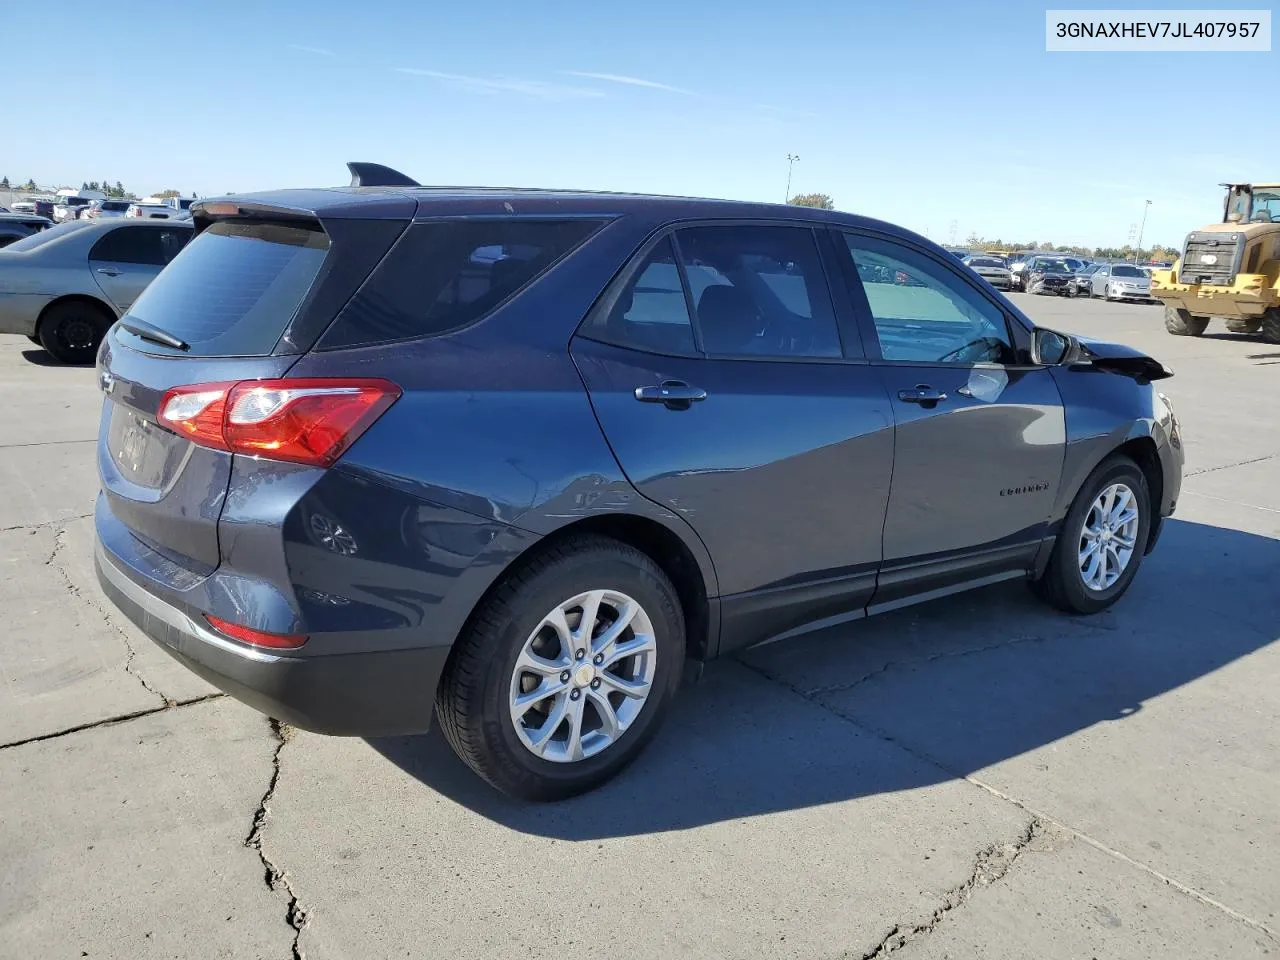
point(305, 422)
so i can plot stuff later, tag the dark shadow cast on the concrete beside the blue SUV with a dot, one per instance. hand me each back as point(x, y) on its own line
point(908, 700)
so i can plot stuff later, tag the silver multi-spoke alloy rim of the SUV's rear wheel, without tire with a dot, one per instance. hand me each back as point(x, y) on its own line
point(583, 676)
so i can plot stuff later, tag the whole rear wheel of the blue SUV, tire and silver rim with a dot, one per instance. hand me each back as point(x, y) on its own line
point(565, 671)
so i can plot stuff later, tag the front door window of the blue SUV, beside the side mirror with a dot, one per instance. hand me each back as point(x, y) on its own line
point(922, 312)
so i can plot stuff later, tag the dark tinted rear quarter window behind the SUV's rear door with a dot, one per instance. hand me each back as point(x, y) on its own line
point(444, 276)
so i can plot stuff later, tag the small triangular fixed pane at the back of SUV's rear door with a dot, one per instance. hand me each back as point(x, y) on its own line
point(651, 313)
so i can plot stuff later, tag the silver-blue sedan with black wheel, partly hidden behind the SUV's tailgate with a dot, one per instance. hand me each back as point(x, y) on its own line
point(66, 286)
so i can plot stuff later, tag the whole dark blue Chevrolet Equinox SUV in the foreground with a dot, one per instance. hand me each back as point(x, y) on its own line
point(516, 452)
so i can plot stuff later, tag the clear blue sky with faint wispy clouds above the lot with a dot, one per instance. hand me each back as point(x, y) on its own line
point(918, 113)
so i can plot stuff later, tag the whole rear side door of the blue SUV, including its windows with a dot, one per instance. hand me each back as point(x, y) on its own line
point(732, 394)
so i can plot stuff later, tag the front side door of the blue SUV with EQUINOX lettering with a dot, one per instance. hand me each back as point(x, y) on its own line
point(980, 432)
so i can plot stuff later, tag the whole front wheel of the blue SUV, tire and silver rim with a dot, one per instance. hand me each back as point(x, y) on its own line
point(1101, 542)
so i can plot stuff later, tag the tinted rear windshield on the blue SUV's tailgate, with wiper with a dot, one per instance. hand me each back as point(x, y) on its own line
point(235, 290)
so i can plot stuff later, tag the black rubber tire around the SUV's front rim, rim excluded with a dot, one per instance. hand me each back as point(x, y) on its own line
point(1064, 580)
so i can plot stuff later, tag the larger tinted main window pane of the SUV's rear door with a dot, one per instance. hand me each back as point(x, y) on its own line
point(760, 291)
